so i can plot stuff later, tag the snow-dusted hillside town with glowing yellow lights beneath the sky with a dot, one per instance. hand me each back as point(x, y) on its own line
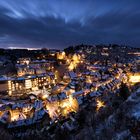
point(60, 94)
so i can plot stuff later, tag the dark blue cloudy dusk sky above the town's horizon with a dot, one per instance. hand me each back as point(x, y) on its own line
point(61, 23)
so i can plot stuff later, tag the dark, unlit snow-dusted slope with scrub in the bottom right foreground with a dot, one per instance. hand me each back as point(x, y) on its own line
point(123, 124)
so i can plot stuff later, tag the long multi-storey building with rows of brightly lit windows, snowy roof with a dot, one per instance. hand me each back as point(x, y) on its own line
point(13, 85)
